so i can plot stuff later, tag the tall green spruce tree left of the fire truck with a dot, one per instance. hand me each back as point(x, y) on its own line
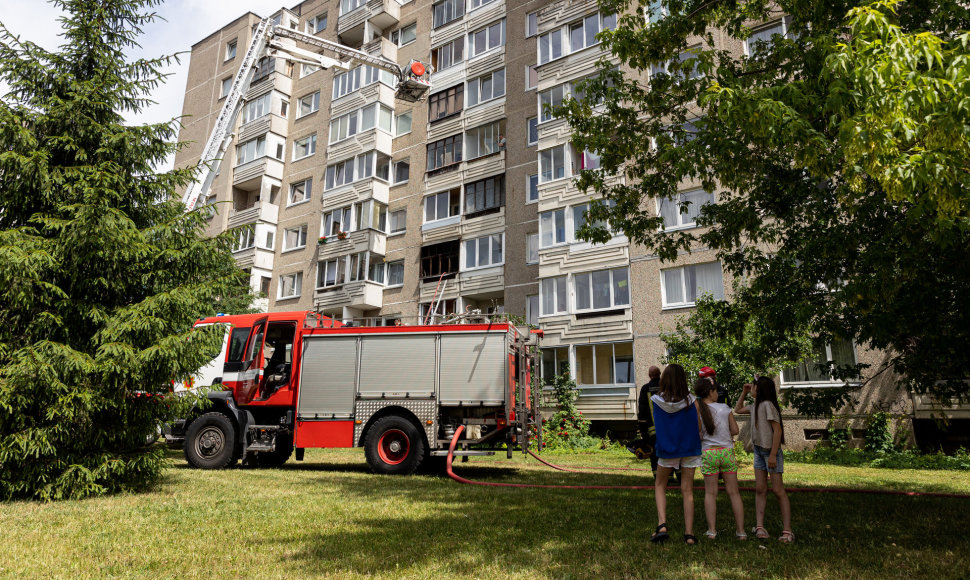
point(101, 271)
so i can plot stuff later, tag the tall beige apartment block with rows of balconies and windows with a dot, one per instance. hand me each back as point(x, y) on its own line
point(349, 202)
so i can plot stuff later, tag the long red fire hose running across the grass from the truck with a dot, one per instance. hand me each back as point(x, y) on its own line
point(575, 469)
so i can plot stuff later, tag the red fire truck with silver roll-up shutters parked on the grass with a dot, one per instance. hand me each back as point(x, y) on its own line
point(297, 380)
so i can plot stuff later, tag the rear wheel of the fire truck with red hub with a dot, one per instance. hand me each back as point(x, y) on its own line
point(394, 446)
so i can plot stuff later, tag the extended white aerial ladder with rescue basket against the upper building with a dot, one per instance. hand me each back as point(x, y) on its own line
point(269, 39)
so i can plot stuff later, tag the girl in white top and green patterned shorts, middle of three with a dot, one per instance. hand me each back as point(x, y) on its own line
point(717, 456)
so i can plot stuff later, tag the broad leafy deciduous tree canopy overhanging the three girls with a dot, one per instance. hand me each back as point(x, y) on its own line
point(838, 153)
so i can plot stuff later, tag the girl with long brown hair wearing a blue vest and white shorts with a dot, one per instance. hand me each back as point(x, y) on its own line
point(678, 445)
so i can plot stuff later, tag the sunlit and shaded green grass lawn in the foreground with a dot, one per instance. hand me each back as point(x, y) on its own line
point(330, 517)
